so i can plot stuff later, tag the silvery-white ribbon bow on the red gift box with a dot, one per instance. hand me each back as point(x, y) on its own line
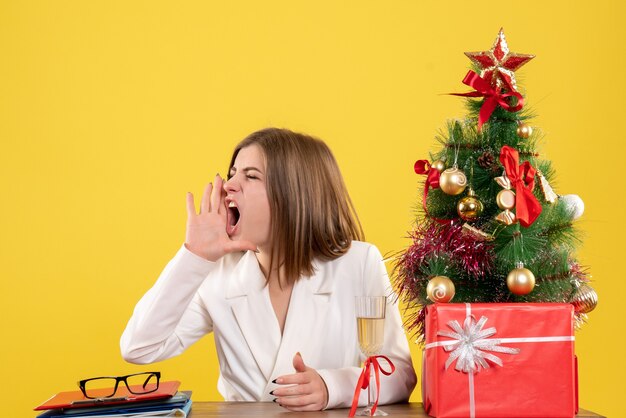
point(472, 344)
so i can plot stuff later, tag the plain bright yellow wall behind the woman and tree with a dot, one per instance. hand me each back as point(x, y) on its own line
point(110, 111)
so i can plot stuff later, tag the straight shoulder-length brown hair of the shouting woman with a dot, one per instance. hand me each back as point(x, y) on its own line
point(311, 213)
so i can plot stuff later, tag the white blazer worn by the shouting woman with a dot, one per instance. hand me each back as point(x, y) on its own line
point(193, 297)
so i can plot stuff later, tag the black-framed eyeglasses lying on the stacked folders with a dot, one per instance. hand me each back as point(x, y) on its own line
point(106, 387)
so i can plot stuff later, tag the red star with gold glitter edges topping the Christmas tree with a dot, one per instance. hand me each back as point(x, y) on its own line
point(499, 64)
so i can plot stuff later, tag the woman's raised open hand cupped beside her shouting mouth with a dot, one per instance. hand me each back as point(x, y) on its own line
point(206, 231)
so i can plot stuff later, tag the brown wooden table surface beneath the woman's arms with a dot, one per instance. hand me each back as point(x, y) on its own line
point(270, 409)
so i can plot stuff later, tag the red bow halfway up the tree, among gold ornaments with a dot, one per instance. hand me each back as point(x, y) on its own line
point(522, 176)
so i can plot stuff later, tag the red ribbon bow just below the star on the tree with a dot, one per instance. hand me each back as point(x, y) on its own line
point(493, 97)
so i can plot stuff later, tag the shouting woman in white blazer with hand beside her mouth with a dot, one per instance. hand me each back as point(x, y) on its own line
point(271, 265)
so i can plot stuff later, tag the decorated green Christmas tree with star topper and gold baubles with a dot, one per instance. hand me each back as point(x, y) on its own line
point(490, 227)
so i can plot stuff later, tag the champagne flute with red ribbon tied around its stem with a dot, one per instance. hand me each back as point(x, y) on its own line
point(370, 317)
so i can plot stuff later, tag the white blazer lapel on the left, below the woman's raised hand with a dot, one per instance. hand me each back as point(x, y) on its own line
point(253, 312)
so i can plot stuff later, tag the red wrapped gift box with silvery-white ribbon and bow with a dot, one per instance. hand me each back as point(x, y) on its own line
point(499, 360)
